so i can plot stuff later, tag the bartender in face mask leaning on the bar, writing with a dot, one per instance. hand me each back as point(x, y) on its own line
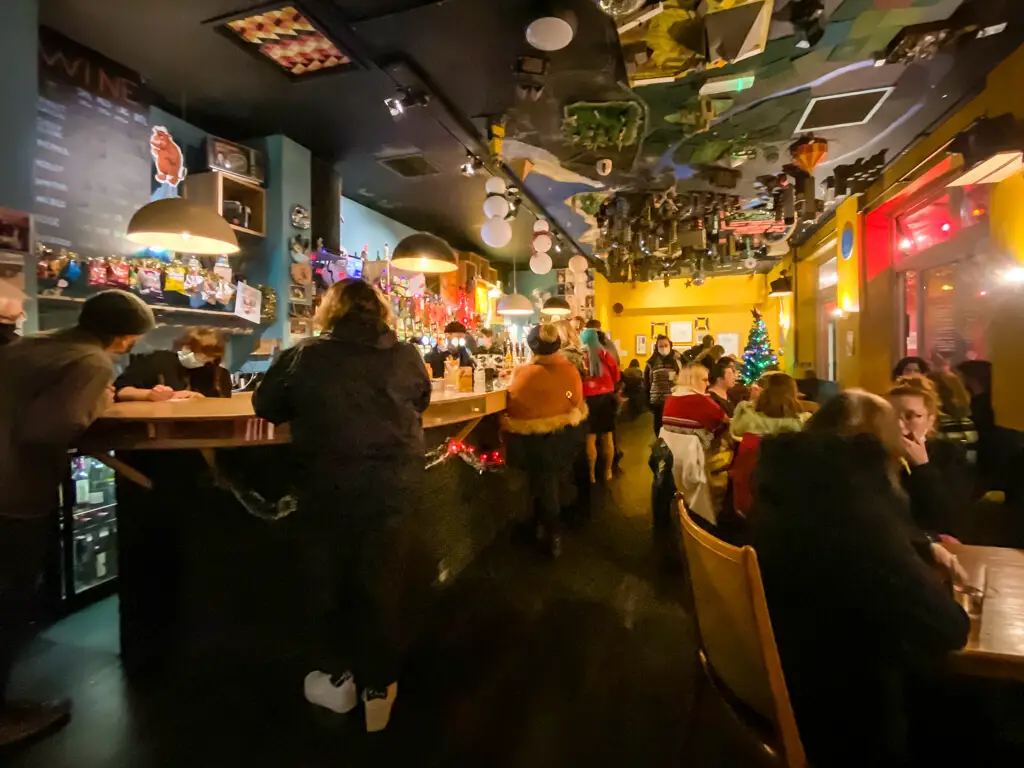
point(191, 370)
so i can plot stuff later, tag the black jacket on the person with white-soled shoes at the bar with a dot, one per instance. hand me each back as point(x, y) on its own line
point(353, 397)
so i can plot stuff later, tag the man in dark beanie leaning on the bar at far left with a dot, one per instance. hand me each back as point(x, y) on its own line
point(53, 387)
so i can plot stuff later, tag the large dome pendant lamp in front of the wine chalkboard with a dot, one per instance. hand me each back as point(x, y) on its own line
point(177, 225)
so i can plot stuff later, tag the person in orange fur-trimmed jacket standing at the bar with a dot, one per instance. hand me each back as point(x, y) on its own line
point(545, 402)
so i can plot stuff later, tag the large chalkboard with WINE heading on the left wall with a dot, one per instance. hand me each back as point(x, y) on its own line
point(93, 168)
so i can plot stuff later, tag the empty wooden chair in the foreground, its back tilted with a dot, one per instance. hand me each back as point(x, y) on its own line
point(738, 647)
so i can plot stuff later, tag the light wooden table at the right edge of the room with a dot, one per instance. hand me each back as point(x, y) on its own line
point(998, 650)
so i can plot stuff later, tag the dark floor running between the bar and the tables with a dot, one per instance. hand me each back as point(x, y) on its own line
point(585, 662)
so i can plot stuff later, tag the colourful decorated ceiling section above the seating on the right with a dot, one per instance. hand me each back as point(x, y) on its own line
point(739, 124)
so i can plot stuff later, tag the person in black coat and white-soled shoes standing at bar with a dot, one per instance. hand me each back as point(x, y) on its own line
point(355, 399)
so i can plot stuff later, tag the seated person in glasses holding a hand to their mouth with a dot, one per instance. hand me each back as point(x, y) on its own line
point(935, 475)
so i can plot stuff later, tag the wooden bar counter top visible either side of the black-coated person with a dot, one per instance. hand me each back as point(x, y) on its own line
point(232, 423)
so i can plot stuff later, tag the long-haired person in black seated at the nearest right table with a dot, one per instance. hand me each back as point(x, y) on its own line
point(856, 610)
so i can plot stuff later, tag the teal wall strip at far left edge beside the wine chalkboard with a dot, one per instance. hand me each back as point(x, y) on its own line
point(19, 94)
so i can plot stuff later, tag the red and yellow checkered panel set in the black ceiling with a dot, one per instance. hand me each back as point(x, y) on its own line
point(283, 34)
